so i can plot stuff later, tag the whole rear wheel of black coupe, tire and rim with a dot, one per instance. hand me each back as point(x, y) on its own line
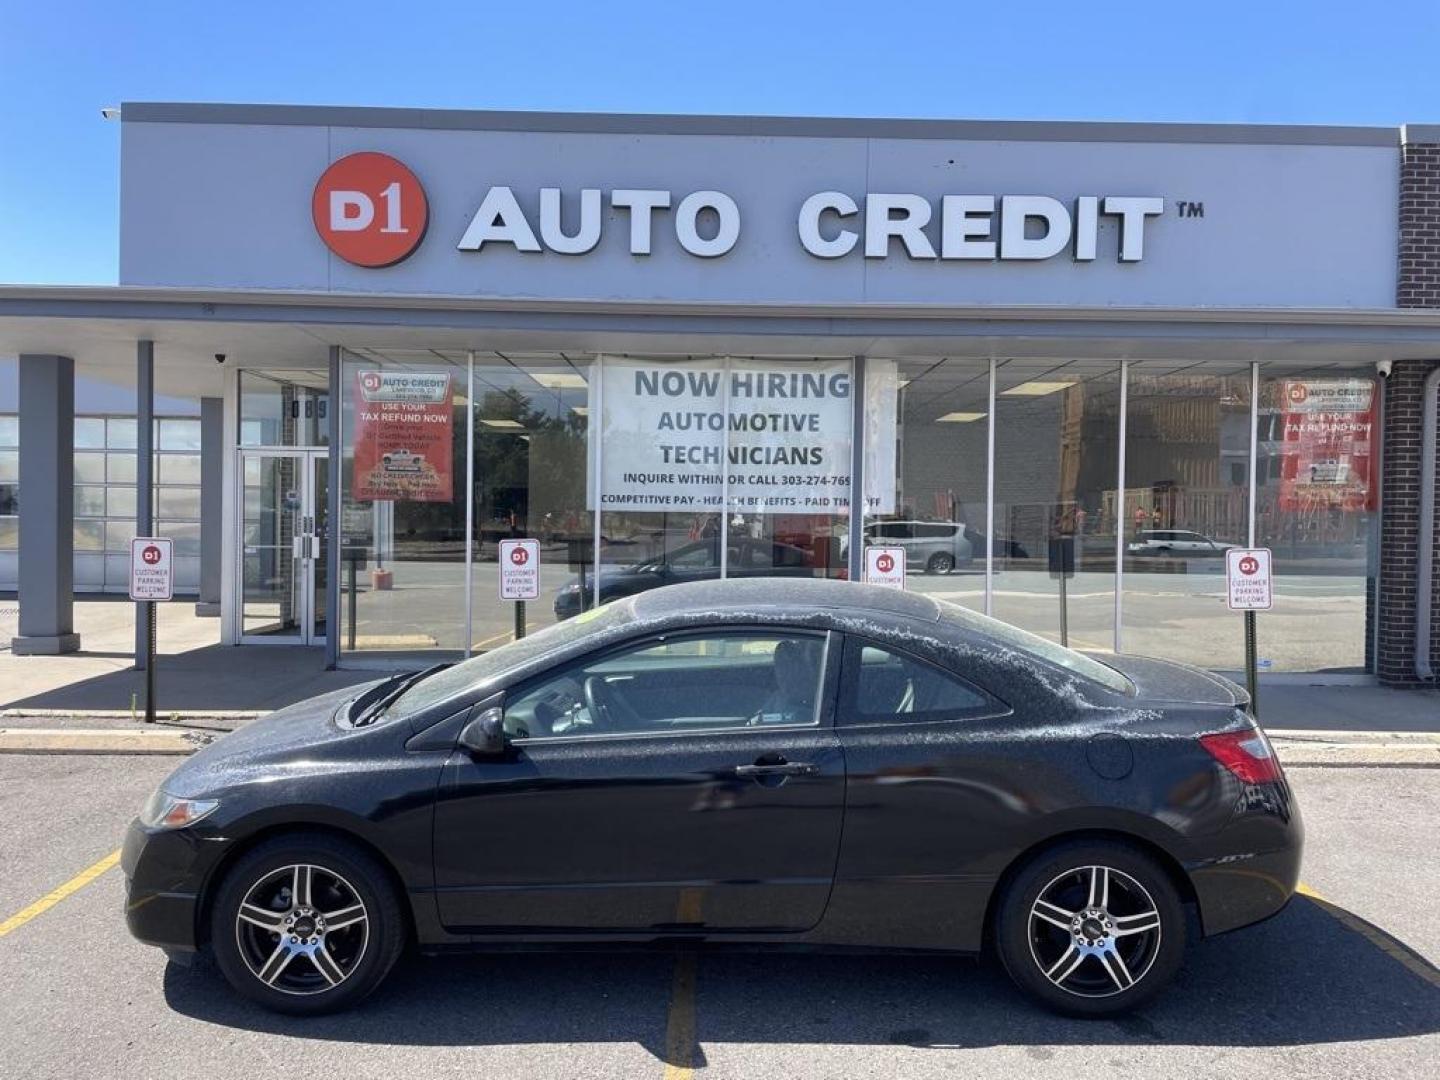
point(1091, 930)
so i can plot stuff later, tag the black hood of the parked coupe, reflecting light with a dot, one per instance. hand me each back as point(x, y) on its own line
point(292, 735)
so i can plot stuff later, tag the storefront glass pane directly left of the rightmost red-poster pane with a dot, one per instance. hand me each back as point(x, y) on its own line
point(1187, 499)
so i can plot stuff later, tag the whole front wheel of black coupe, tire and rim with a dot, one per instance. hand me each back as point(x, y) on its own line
point(333, 902)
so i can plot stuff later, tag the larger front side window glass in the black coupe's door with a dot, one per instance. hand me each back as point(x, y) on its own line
point(676, 685)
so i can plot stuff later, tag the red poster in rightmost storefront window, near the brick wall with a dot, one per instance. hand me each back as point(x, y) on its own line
point(1327, 446)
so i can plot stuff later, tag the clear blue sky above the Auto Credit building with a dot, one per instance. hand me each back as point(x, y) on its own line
point(1265, 61)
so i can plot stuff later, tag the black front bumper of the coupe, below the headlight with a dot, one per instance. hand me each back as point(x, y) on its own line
point(165, 879)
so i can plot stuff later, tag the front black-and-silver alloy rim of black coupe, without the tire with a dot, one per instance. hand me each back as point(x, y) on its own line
point(302, 930)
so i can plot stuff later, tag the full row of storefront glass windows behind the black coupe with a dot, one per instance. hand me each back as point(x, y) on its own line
point(783, 427)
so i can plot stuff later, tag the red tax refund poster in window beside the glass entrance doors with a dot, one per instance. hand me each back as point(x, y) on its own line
point(402, 437)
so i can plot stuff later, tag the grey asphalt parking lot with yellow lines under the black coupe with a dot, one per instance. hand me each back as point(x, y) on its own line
point(1340, 986)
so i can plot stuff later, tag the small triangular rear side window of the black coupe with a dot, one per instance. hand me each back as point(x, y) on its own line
point(888, 685)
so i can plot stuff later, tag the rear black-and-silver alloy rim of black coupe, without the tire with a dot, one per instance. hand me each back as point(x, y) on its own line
point(1095, 932)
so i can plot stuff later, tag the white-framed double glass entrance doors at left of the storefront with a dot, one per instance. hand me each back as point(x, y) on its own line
point(284, 532)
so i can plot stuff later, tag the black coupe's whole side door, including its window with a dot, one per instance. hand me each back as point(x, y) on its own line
point(679, 783)
